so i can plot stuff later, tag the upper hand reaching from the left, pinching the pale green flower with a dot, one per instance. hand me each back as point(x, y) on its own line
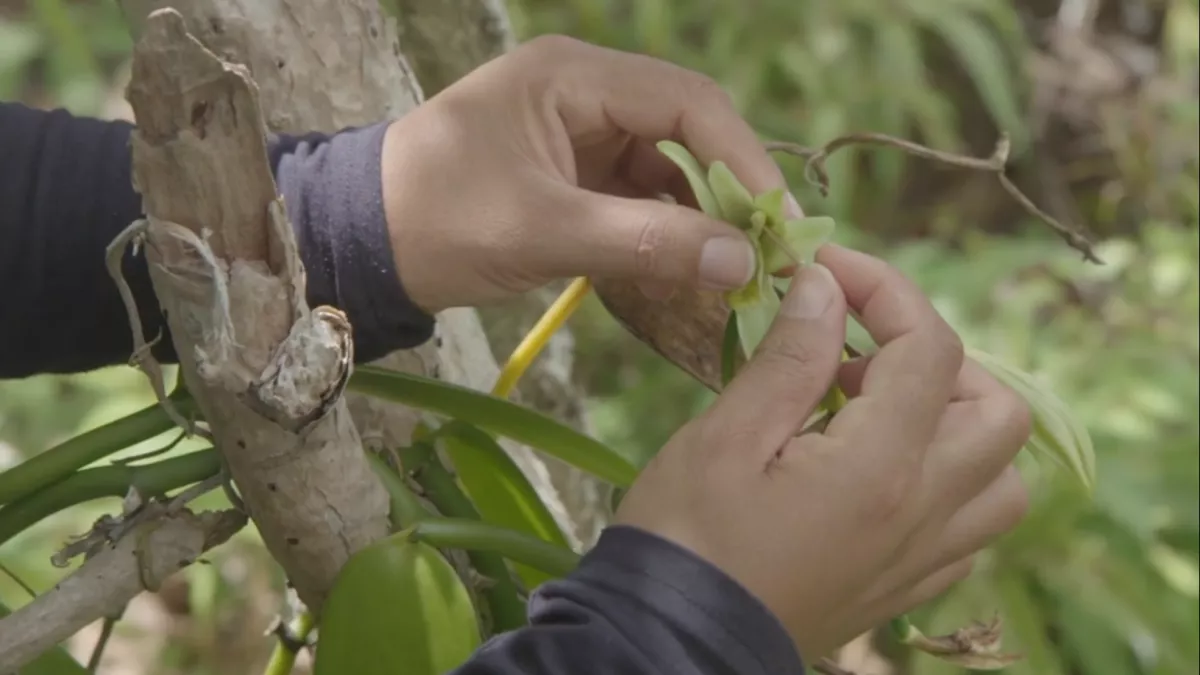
point(542, 165)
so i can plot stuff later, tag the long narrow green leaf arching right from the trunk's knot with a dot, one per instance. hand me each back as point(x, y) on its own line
point(501, 417)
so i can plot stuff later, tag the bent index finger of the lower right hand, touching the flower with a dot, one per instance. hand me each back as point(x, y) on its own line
point(910, 381)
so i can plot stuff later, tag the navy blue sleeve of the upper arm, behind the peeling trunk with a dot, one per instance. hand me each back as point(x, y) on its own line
point(67, 192)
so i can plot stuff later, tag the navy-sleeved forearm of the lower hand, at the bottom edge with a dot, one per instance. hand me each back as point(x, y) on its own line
point(641, 606)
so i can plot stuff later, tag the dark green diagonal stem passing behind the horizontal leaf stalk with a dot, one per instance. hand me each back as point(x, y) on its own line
point(503, 598)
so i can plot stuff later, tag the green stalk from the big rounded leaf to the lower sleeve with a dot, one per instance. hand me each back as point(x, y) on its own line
point(476, 536)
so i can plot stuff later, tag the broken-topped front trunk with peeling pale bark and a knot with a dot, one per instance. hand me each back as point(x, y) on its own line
point(266, 371)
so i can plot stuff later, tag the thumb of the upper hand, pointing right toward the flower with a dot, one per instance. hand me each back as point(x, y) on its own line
point(646, 241)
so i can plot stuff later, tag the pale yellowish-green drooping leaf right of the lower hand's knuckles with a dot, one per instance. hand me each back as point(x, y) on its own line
point(1057, 433)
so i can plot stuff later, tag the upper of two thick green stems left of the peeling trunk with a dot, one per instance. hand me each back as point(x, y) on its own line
point(63, 461)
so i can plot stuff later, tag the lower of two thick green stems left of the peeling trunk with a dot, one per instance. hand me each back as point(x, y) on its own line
point(107, 482)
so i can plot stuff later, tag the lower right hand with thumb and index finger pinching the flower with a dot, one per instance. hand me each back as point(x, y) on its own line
point(842, 530)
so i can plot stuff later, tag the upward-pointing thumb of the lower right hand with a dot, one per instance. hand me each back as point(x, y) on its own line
point(790, 373)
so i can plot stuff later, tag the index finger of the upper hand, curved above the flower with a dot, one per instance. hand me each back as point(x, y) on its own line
point(605, 91)
